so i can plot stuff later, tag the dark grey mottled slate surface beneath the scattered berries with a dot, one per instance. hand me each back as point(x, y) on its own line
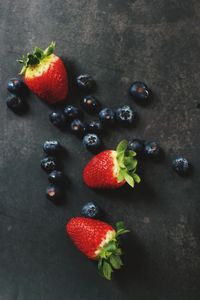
point(117, 42)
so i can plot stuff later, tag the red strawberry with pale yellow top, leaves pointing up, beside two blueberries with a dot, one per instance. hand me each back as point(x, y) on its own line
point(45, 74)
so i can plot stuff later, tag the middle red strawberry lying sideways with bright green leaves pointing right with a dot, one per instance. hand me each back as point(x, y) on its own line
point(112, 168)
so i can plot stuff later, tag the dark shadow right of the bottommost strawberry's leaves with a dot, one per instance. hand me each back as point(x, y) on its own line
point(135, 261)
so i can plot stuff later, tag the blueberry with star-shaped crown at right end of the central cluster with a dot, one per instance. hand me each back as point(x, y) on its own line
point(125, 115)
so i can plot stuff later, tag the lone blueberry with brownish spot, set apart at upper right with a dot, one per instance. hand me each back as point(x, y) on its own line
point(140, 92)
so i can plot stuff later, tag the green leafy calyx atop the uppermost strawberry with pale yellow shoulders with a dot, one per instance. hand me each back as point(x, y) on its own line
point(32, 59)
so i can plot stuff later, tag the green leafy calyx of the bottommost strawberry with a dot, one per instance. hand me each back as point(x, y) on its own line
point(109, 259)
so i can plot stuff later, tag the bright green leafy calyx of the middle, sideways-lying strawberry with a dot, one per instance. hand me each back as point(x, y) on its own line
point(127, 164)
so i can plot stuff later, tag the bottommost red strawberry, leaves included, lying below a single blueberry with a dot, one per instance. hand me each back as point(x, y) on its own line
point(98, 241)
